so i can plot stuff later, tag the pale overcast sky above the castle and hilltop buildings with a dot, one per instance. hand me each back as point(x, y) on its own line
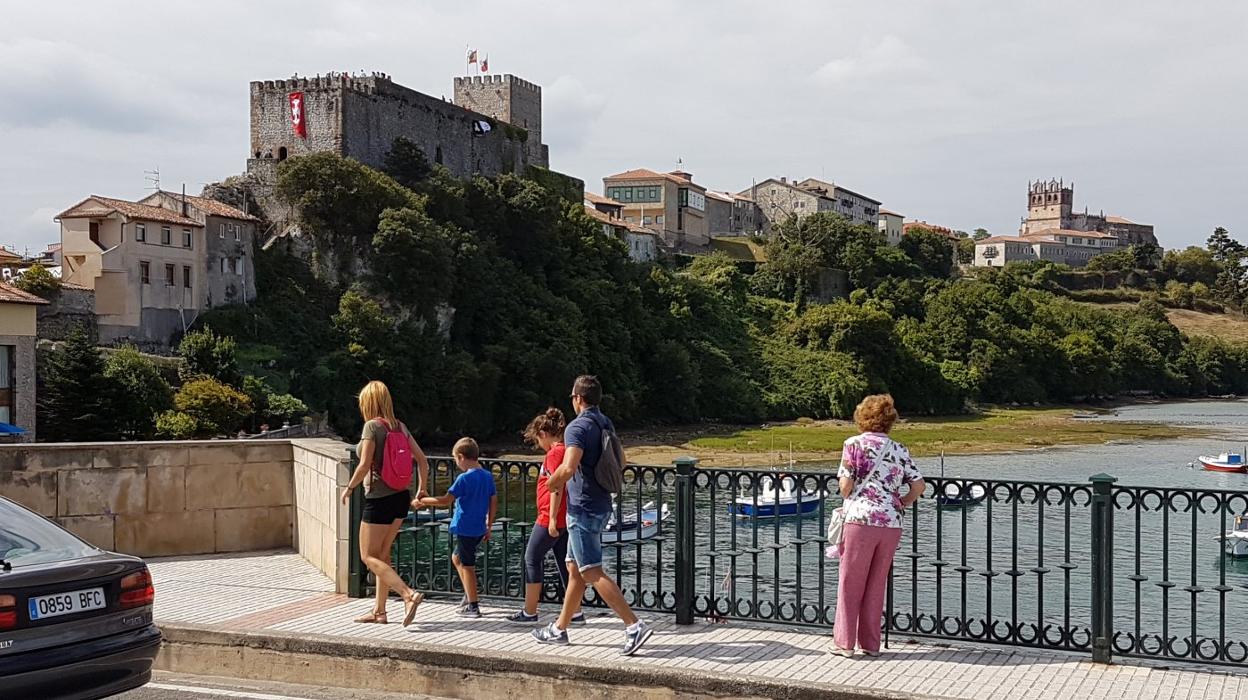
point(942, 110)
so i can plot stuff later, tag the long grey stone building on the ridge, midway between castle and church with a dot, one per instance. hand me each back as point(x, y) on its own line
point(777, 199)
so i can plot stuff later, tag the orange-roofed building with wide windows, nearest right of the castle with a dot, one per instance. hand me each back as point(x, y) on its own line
point(670, 204)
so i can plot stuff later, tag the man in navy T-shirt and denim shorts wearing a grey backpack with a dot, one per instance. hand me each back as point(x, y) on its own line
point(592, 469)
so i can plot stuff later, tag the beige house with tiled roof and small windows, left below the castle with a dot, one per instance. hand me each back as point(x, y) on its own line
point(157, 265)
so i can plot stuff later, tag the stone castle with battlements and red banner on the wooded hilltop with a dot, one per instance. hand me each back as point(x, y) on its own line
point(494, 127)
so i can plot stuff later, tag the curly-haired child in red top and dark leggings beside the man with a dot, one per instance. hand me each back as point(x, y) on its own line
point(551, 532)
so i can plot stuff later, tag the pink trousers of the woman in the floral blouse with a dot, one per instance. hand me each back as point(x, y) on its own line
point(867, 558)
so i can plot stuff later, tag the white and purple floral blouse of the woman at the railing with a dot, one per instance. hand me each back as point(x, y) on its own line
point(878, 501)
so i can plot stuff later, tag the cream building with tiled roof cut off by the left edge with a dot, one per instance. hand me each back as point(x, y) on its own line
point(18, 323)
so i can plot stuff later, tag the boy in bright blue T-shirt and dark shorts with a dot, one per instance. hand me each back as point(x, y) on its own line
point(476, 505)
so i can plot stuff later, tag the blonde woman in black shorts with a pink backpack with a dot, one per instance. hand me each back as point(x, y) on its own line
point(385, 507)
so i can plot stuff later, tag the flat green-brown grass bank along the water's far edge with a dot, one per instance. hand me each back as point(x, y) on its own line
point(998, 430)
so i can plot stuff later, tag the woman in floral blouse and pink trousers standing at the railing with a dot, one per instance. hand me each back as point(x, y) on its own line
point(874, 474)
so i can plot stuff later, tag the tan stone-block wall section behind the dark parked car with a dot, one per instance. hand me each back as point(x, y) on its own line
point(157, 500)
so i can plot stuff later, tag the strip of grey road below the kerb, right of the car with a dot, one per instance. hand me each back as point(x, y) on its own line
point(175, 687)
